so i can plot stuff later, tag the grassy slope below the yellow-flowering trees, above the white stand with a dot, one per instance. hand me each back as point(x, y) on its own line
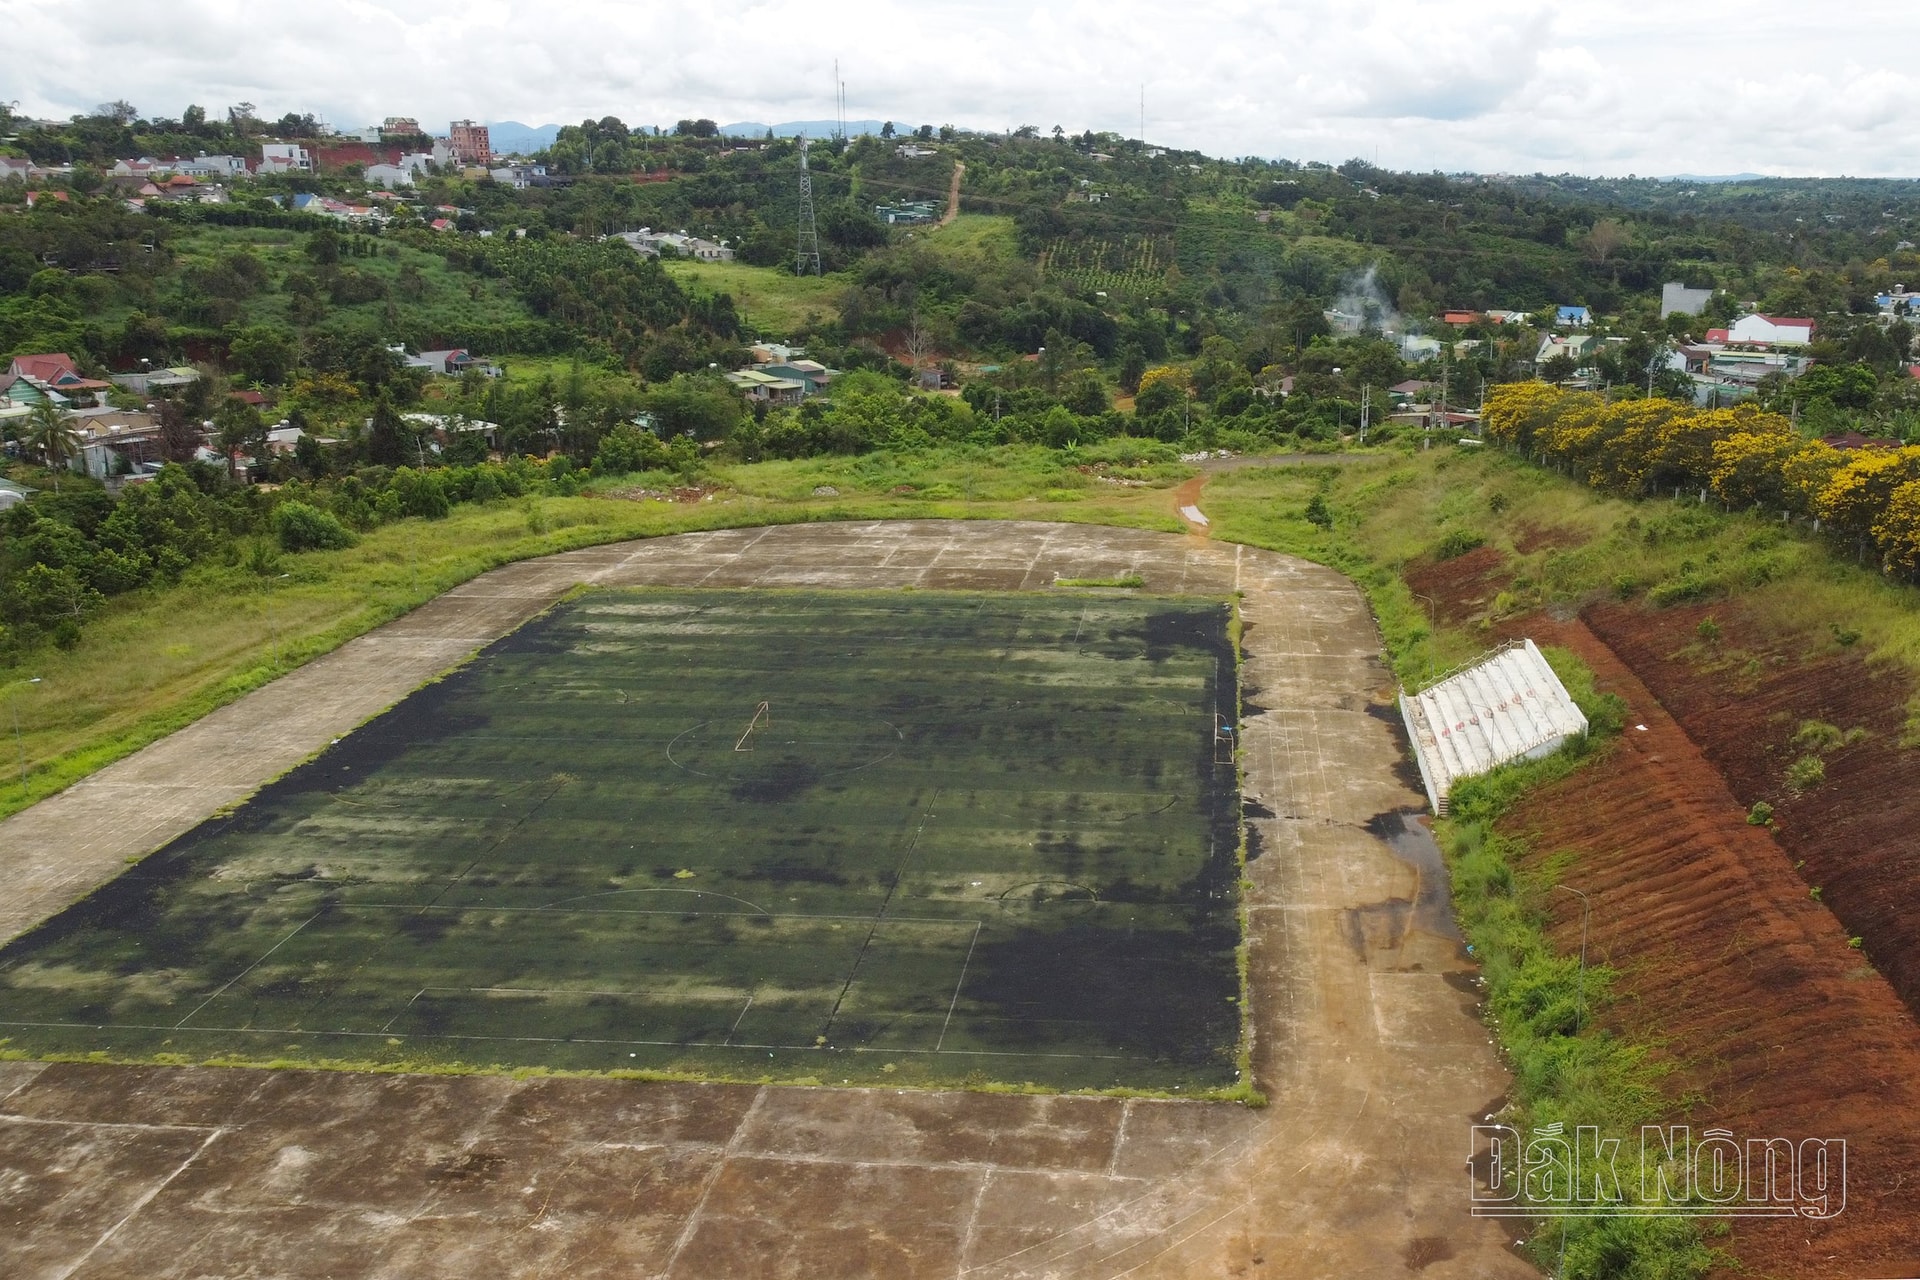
point(1566, 546)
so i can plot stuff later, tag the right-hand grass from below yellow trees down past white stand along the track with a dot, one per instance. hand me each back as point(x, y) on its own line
point(1583, 548)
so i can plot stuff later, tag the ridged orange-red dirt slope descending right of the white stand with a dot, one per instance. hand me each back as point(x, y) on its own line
point(1765, 1010)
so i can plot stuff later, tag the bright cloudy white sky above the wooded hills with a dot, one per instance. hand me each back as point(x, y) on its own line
point(1514, 85)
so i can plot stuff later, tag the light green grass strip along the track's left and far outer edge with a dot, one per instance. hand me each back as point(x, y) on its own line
point(158, 659)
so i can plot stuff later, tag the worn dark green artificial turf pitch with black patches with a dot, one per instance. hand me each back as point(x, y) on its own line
point(911, 838)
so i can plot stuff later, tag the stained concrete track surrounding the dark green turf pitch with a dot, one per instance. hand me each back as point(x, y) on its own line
point(1368, 1037)
